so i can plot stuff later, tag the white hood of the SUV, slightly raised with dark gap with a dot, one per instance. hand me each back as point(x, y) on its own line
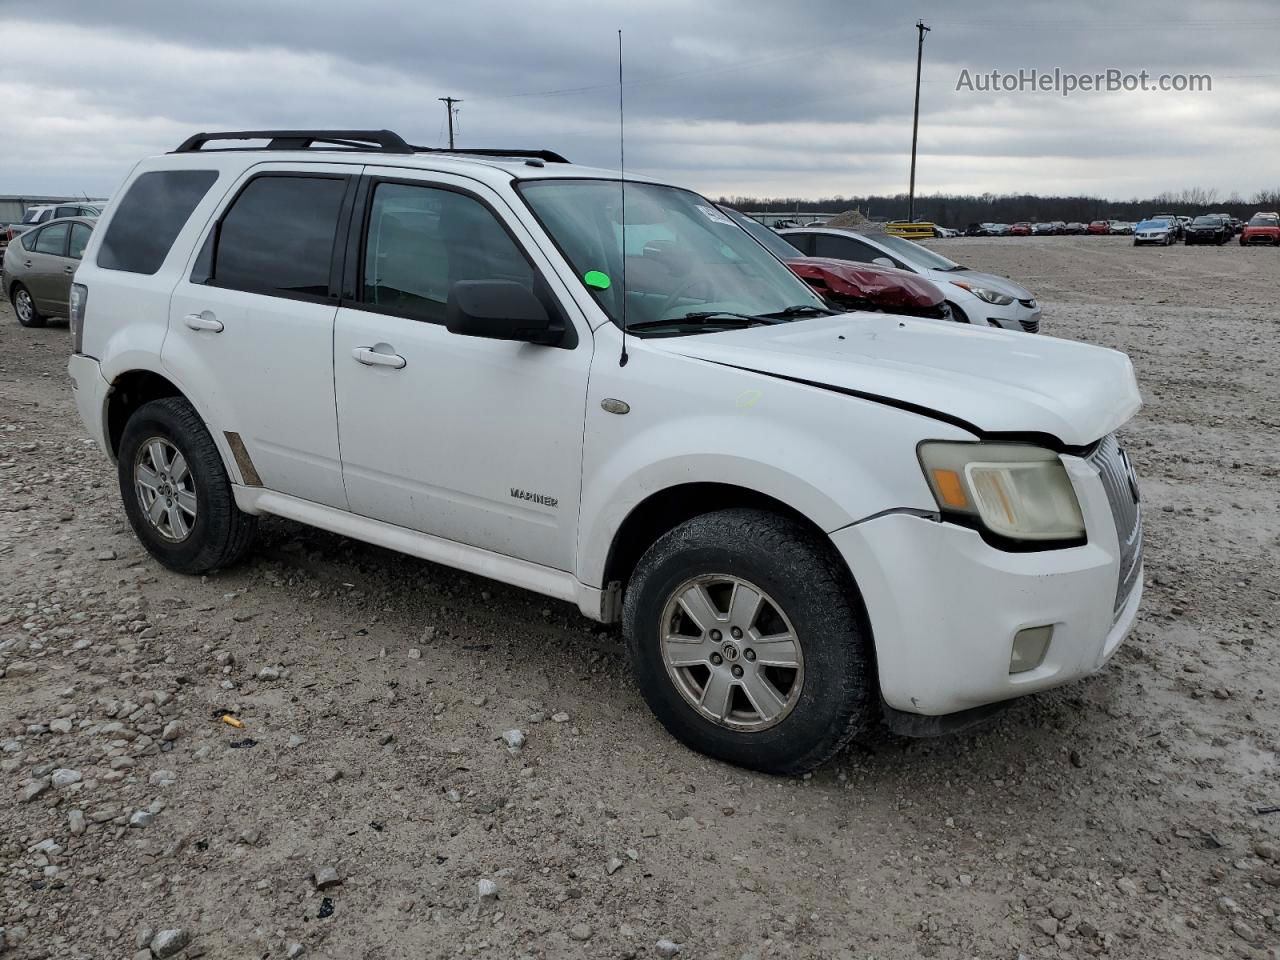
point(995, 381)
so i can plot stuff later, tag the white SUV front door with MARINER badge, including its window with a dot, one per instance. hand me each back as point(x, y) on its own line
point(472, 440)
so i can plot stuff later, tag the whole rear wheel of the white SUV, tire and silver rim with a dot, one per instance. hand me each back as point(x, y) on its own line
point(177, 493)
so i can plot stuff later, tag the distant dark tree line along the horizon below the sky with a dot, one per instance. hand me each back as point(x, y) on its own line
point(961, 211)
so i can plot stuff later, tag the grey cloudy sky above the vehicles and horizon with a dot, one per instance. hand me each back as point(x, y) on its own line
point(811, 98)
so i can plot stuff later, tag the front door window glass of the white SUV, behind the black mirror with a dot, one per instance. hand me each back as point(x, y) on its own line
point(422, 241)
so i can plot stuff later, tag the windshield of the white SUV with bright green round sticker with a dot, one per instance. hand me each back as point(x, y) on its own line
point(683, 255)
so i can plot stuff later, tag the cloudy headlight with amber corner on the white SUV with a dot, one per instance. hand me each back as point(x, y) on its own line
point(1016, 491)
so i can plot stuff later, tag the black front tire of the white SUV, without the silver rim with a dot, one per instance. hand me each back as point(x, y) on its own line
point(807, 580)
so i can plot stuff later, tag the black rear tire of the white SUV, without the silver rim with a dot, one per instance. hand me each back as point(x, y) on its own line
point(221, 534)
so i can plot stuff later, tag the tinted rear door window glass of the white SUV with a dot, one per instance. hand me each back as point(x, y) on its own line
point(278, 236)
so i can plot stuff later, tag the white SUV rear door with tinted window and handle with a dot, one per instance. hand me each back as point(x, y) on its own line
point(252, 323)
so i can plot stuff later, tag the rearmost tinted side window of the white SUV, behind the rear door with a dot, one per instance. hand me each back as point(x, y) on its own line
point(150, 217)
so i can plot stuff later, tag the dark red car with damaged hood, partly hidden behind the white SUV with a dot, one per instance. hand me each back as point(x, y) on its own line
point(852, 286)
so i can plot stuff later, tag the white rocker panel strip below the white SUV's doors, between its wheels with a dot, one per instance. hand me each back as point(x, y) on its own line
point(591, 601)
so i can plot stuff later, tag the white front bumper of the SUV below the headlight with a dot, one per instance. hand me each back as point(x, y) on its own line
point(945, 606)
